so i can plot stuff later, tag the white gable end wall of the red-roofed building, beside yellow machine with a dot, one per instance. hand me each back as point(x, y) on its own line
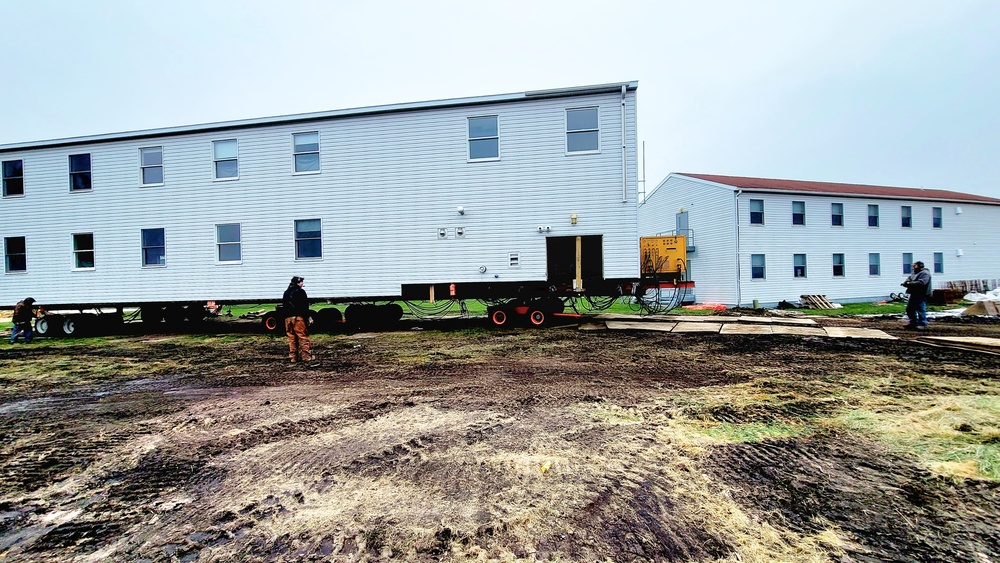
point(712, 218)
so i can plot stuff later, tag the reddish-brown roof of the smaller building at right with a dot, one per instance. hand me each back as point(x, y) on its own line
point(844, 190)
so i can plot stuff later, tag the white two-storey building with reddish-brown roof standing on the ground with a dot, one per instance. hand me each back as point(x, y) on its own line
point(765, 240)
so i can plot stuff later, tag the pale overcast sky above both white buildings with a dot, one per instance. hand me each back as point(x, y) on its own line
point(898, 93)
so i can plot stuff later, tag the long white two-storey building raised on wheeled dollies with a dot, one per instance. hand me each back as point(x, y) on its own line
point(491, 195)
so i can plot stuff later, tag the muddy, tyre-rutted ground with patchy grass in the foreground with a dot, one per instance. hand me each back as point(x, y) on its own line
point(475, 443)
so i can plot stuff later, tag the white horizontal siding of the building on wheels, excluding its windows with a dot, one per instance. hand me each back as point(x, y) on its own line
point(388, 181)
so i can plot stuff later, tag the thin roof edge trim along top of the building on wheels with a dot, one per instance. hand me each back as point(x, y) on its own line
point(316, 116)
